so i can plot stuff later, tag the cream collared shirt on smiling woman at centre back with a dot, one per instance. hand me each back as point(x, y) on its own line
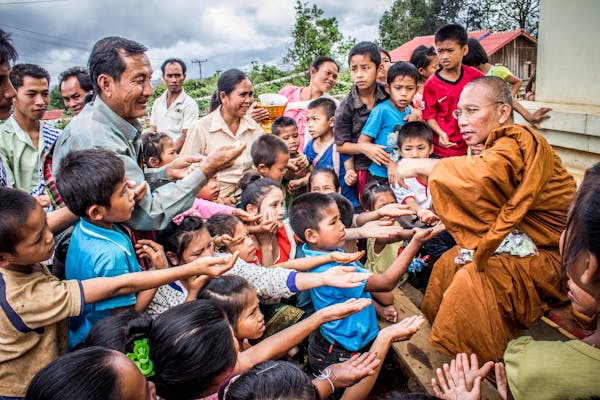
point(210, 133)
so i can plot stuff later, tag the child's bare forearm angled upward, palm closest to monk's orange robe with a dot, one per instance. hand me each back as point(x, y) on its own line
point(389, 279)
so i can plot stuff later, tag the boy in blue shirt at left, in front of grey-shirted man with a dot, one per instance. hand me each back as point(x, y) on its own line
point(93, 185)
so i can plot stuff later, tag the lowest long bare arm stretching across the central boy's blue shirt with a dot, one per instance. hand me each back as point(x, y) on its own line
point(279, 344)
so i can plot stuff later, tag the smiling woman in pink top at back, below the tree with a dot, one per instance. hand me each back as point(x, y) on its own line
point(322, 78)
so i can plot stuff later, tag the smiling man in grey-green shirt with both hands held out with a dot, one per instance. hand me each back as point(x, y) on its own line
point(121, 74)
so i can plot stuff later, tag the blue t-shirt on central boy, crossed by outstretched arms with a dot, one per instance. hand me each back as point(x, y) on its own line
point(353, 332)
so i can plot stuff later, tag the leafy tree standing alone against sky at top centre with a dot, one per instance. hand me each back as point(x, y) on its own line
point(313, 35)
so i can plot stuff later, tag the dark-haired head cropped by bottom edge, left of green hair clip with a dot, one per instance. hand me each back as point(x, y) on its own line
point(93, 373)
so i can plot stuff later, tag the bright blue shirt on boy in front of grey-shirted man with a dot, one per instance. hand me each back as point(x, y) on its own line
point(98, 252)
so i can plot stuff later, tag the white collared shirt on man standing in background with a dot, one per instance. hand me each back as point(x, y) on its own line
point(174, 119)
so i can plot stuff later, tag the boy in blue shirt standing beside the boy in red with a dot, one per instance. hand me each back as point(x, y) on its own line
point(402, 83)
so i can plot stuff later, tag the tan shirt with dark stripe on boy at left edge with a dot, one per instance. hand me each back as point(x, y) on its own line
point(34, 307)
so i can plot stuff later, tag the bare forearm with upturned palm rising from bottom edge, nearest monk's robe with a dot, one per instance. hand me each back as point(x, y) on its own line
point(403, 330)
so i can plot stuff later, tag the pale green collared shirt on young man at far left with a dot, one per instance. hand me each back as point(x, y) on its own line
point(22, 158)
